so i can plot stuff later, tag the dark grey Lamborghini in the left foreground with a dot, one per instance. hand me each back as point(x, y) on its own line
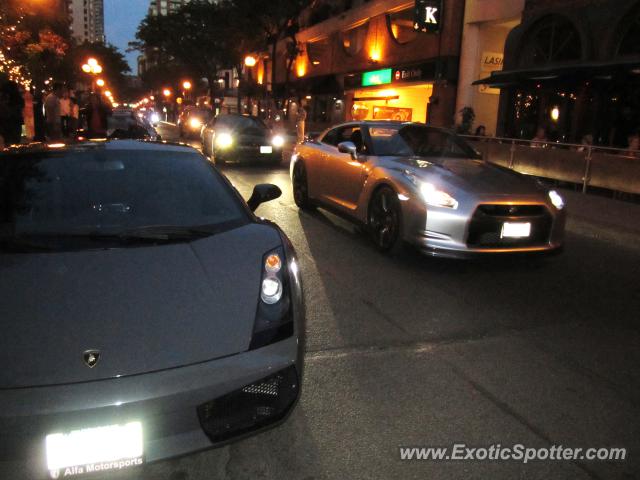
point(147, 312)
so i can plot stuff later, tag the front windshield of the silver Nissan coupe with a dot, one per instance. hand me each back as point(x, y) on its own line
point(418, 141)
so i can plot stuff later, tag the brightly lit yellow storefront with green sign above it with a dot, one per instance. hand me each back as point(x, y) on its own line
point(401, 93)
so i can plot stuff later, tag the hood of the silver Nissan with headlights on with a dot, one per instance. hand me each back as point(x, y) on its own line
point(474, 176)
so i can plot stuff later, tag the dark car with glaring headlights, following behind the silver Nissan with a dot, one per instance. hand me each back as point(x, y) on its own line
point(241, 139)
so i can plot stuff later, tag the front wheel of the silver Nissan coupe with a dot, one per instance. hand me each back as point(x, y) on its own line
point(385, 220)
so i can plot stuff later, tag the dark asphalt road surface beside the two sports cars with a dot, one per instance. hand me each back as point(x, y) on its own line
point(413, 351)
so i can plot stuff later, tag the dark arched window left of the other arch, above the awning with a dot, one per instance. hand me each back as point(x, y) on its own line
point(554, 39)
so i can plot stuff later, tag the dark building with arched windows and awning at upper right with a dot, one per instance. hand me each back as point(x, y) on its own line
point(572, 68)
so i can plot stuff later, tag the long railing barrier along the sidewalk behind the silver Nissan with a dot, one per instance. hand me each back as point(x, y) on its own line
point(589, 166)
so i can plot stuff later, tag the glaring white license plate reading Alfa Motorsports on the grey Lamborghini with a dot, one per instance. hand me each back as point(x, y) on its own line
point(94, 450)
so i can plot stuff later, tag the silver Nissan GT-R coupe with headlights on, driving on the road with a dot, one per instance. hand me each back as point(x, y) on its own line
point(408, 182)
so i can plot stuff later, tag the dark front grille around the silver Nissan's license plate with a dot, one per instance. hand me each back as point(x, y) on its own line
point(486, 225)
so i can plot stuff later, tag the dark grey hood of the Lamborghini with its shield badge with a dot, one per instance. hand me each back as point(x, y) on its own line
point(145, 309)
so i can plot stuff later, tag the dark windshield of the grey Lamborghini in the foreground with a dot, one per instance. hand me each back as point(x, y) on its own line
point(51, 198)
